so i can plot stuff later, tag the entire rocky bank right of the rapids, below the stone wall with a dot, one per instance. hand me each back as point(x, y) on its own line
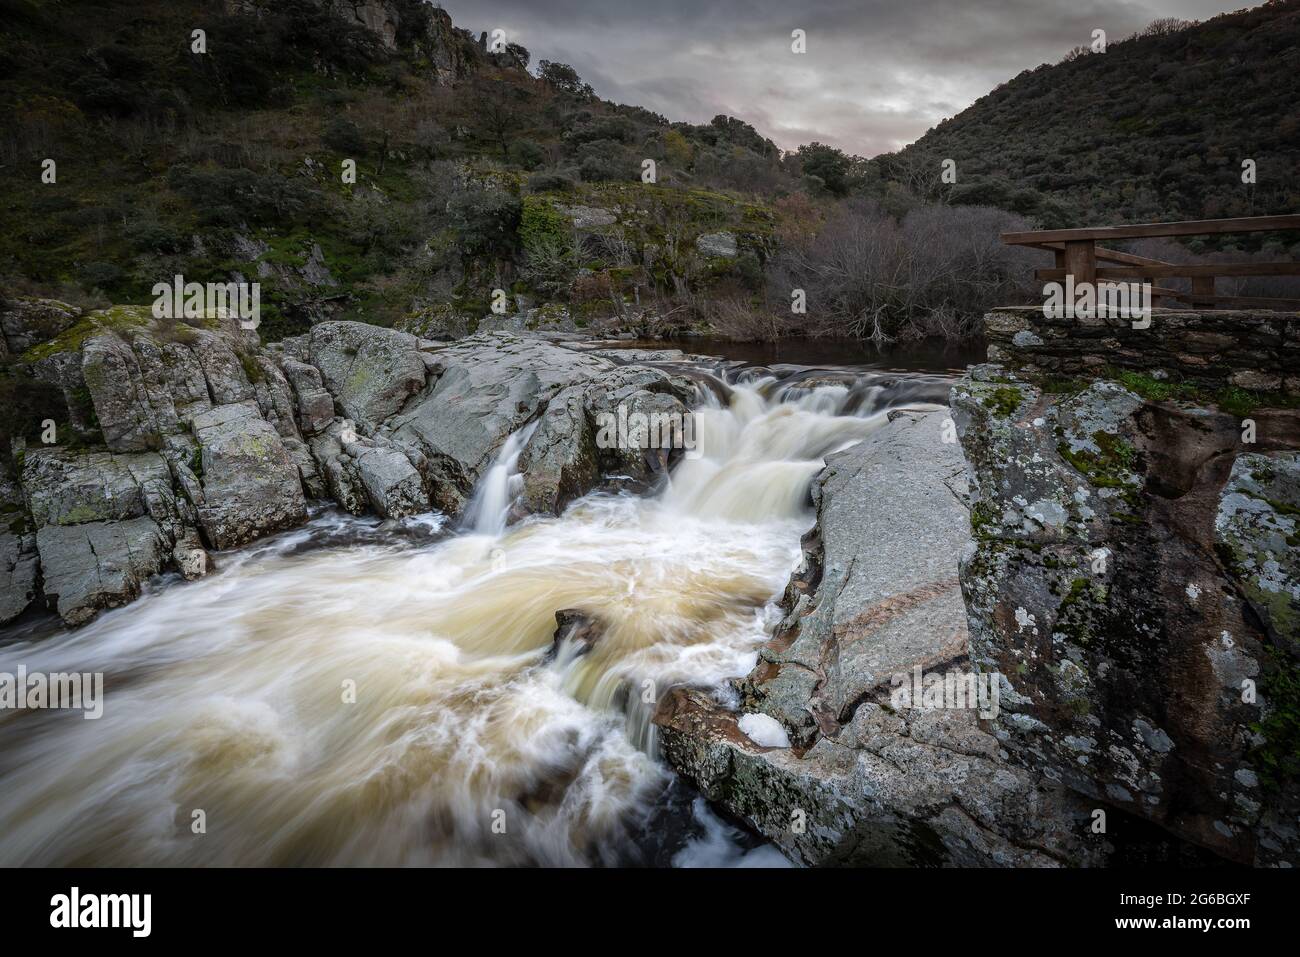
point(1128, 569)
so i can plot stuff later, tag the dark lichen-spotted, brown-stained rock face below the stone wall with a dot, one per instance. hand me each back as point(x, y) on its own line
point(1125, 648)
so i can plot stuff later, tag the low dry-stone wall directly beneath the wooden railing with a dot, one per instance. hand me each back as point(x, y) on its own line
point(1247, 349)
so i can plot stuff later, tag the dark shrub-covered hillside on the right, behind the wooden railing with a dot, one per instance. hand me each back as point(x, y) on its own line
point(1155, 128)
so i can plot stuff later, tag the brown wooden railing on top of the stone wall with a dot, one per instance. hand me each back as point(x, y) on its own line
point(1078, 254)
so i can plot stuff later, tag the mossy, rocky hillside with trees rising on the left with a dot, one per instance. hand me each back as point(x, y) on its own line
point(474, 172)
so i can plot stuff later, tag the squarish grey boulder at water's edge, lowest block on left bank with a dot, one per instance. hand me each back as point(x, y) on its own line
point(99, 565)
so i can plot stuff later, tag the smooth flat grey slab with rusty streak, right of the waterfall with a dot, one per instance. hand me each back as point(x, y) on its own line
point(892, 526)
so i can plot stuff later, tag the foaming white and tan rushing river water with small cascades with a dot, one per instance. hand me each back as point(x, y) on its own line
point(349, 694)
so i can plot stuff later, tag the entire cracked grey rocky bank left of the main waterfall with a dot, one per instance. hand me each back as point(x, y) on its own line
point(175, 439)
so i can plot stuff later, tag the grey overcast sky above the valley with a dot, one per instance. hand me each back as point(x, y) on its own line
point(877, 73)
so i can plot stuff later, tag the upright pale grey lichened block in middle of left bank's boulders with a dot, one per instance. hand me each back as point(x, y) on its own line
point(250, 484)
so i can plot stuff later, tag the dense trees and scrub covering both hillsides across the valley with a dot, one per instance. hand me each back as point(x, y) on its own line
point(480, 171)
